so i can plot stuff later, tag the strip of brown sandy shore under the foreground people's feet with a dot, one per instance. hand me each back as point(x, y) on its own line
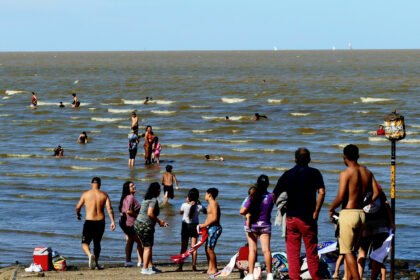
point(404, 269)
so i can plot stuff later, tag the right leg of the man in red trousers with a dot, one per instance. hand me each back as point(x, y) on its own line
point(310, 238)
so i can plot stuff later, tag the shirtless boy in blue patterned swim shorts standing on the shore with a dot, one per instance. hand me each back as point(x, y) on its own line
point(214, 229)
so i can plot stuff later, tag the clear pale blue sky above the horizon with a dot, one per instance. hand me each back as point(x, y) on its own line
point(106, 25)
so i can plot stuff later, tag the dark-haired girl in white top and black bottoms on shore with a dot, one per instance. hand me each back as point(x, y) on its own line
point(190, 211)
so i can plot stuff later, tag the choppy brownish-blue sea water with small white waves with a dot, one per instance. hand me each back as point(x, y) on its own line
point(322, 100)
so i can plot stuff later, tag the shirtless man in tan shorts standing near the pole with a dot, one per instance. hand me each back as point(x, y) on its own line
point(355, 182)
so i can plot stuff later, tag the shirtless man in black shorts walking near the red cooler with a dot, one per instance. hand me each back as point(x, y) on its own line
point(94, 201)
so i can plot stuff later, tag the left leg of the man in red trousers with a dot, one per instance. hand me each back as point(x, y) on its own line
point(293, 243)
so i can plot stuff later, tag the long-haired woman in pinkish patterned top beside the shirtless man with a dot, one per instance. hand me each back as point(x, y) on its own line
point(129, 208)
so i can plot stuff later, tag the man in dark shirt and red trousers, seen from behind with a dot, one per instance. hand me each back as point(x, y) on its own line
point(302, 183)
